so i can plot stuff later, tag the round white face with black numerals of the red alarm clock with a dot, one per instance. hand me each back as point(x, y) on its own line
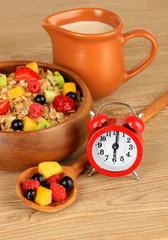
point(114, 151)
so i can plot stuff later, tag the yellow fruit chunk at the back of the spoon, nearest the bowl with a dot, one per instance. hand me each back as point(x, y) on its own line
point(48, 169)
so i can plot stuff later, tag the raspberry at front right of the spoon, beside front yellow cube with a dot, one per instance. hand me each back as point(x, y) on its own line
point(58, 192)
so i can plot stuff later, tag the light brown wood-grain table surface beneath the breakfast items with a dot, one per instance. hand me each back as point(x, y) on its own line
point(106, 208)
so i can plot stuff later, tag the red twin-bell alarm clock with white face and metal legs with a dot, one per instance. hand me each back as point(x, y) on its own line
point(115, 145)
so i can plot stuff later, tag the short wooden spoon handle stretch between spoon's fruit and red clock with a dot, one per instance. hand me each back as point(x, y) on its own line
point(80, 165)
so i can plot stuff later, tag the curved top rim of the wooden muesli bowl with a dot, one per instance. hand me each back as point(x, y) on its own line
point(83, 86)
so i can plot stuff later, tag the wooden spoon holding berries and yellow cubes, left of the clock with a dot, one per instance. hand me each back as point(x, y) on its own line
point(72, 171)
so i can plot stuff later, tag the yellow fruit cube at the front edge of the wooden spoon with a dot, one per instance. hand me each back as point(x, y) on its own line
point(43, 196)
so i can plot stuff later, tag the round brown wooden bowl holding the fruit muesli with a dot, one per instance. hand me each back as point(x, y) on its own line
point(21, 150)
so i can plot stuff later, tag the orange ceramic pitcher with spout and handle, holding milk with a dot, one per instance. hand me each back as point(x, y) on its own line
point(97, 58)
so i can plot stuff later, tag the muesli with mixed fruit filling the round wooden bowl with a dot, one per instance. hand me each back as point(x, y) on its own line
point(32, 98)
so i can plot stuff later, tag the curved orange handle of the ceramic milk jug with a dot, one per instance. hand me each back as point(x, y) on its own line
point(148, 59)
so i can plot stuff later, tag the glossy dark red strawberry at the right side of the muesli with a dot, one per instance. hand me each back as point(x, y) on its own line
point(64, 104)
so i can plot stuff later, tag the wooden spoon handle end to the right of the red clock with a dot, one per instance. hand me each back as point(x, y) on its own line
point(155, 107)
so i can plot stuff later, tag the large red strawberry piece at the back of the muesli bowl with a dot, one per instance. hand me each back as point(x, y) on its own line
point(24, 73)
